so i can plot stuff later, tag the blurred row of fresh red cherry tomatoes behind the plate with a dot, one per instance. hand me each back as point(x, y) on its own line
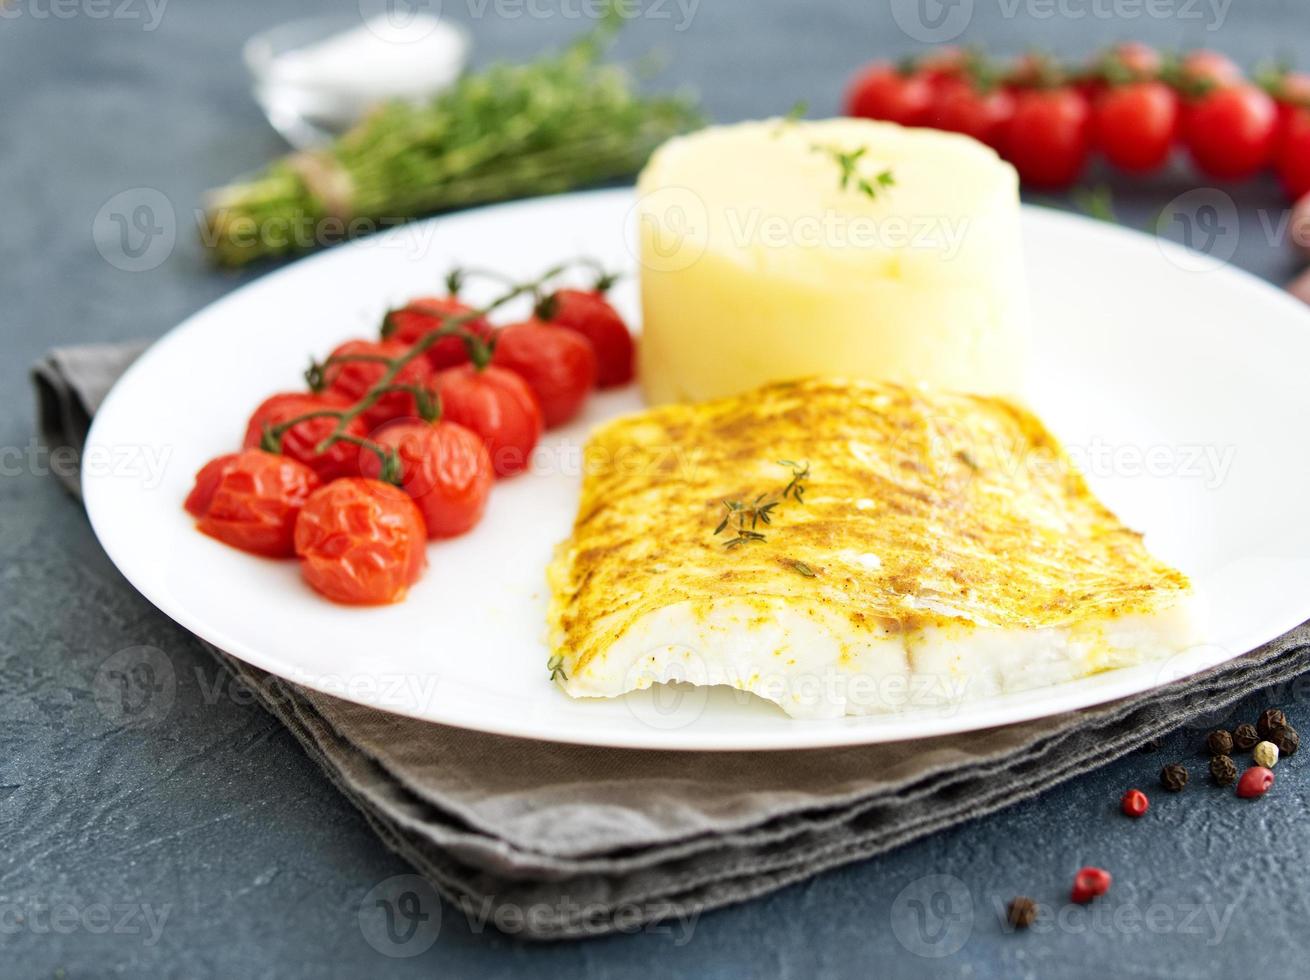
point(1131, 104)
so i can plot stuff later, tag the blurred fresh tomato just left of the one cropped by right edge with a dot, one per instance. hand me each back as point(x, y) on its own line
point(1231, 132)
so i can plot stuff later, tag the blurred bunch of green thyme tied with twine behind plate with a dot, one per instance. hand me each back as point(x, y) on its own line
point(512, 130)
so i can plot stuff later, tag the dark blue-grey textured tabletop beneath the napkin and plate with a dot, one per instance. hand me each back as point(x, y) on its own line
point(205, 844)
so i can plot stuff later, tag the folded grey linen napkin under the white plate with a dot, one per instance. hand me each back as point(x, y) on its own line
point(572, 842)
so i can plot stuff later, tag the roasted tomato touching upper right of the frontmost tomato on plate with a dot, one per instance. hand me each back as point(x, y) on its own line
point(446, 470)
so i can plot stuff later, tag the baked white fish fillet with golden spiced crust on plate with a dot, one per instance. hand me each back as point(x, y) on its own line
point(846, 548)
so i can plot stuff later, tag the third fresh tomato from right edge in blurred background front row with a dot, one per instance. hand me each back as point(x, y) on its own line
point(1136, 125)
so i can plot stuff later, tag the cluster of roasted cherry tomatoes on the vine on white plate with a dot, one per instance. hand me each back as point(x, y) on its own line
point(402, 438)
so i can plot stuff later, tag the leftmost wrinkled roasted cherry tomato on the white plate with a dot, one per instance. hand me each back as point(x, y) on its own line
point(255, 502)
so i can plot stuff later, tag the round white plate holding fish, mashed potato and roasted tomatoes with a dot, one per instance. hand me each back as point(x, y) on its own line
point(1181, 386)
